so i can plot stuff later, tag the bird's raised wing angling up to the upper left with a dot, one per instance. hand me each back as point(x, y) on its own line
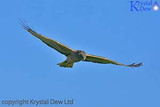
point(52, 43)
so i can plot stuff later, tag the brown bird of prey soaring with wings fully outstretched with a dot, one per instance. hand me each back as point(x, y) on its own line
point(73, 55)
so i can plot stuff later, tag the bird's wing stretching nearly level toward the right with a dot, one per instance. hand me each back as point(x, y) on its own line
point(102, 60)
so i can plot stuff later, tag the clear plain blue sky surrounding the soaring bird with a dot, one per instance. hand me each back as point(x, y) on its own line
point(28, 67)
